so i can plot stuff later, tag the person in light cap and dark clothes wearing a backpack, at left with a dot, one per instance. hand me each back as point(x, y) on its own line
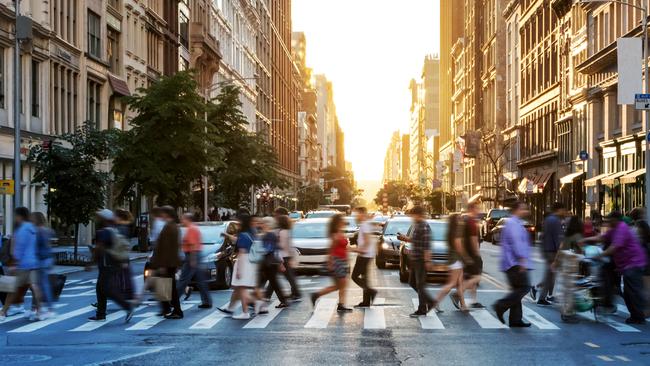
point(109, 267)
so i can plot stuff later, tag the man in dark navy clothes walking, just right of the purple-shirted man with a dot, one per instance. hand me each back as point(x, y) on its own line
point(551, 241)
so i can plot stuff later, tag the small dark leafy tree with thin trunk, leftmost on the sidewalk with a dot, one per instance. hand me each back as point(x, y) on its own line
point(76, 189)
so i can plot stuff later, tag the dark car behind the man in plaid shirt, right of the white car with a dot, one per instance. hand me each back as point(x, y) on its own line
point(439, 252)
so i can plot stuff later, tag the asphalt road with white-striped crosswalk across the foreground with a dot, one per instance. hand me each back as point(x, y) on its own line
point(383, 335)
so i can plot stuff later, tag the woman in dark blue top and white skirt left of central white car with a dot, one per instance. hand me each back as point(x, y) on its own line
point(245, 272)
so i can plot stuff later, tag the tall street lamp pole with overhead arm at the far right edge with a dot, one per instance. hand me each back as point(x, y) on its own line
point(646, 66)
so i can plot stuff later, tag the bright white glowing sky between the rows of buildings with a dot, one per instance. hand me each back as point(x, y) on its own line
point(370, 50)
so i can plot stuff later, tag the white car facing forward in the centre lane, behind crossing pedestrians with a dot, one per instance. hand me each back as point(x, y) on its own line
point(311, 243)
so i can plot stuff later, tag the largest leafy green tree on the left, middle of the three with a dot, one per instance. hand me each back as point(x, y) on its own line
point(168, 146)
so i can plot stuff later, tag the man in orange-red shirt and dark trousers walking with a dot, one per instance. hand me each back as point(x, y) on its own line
point(192, 246)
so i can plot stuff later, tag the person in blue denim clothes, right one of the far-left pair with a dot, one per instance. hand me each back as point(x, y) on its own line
point(44, 252)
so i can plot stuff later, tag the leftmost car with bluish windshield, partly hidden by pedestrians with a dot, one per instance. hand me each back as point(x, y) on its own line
point(218, 255)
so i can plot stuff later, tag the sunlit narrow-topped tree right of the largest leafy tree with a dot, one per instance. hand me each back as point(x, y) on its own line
point(248, 160)
